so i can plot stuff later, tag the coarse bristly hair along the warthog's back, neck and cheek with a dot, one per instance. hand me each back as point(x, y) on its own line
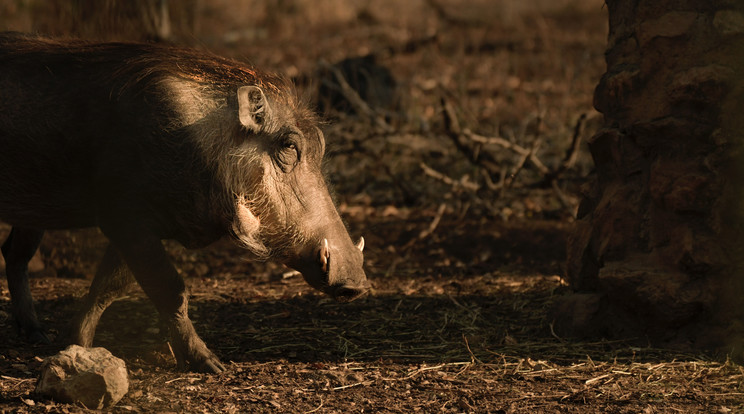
point(201, 91)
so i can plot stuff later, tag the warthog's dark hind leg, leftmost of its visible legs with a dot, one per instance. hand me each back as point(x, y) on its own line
point(18, 249)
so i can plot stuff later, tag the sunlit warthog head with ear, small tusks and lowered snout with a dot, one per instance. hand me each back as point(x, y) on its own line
point(281, 201)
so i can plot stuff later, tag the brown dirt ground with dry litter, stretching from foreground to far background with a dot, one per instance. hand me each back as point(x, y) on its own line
point(466, 261)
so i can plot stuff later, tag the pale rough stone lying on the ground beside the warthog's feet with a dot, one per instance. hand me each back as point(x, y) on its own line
point(90, 376)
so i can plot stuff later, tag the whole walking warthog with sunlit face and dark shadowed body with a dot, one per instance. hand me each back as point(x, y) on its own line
point(149, 143)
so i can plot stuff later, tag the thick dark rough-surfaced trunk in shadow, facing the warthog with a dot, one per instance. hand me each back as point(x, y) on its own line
point(657, 250)
